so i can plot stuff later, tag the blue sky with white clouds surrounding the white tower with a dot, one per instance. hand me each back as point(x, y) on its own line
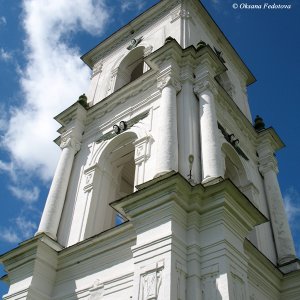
point(41, 74)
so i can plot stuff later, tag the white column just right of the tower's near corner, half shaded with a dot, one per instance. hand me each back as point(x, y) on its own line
point(209, 132)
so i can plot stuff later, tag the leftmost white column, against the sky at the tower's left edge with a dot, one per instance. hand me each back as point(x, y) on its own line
point(56, 197)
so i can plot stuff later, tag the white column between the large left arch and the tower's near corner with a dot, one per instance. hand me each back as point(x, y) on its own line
point(167, 143)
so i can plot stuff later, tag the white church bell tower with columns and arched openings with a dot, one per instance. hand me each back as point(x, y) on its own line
point(164, 190)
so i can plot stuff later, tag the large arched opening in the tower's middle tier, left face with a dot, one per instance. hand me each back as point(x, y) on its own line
point(115, 180)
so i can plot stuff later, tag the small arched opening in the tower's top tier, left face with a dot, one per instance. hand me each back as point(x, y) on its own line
point(131, 67)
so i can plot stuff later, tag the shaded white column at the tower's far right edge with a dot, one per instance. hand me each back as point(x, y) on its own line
point(282, 234)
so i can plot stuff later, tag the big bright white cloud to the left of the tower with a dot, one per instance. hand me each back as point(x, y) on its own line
point(52, 80)
